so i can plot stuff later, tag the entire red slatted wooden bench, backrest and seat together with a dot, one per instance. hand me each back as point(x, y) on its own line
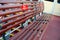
point(14, 19)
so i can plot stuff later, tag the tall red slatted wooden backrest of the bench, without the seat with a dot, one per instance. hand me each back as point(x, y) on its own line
point(12, 16)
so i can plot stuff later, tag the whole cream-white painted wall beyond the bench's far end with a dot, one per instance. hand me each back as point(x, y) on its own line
point(51, 8)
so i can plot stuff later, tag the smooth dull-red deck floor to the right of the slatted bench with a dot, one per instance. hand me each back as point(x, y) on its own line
point(53, 29)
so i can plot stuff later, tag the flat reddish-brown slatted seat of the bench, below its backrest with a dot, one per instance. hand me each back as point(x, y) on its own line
point(33, 33)
